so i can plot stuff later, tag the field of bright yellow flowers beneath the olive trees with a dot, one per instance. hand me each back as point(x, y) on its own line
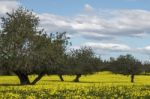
point(98, 86)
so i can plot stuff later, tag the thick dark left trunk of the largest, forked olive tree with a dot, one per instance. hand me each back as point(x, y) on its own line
point(24, 80)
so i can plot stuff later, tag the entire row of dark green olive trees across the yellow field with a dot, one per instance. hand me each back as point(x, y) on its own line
point(25, 49)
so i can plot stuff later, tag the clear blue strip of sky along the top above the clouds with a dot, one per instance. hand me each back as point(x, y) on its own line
point(70, 7)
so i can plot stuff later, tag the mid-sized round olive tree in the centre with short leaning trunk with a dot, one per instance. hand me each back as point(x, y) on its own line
point(83, 61)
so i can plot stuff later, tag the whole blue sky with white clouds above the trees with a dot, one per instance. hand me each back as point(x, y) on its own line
point(110, 27)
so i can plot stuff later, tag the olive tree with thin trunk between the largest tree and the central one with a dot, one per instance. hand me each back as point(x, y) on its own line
point(60, 41)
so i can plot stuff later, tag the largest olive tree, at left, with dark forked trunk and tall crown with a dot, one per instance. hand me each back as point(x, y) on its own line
point(24, 48)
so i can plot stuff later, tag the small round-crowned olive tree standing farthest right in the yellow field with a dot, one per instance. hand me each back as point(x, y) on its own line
point(126, 65)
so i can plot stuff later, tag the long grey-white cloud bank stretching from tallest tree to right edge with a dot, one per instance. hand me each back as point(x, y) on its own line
point(109, 24)
